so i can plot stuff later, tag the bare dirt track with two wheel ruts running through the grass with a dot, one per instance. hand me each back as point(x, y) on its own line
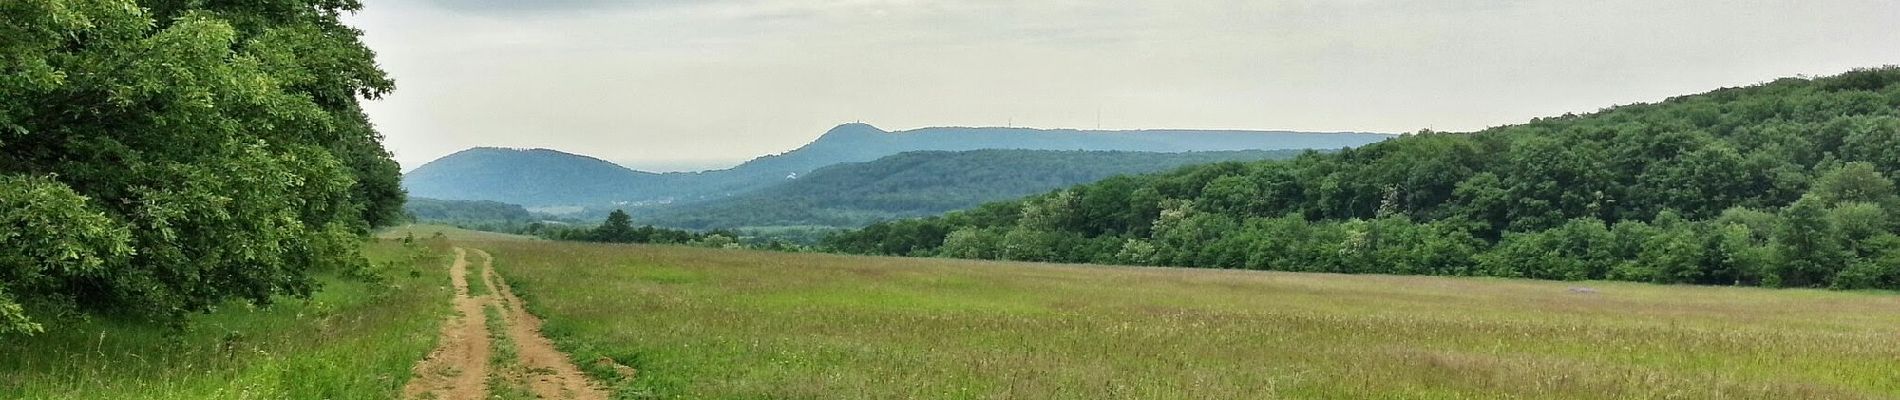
point(459, 367)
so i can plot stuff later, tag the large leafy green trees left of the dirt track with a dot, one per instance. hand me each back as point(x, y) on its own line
point(168, 156)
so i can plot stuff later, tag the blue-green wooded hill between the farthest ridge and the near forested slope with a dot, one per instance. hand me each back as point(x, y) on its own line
point(922, 185)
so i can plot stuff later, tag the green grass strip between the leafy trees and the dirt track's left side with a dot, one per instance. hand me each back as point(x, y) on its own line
point(352, 340)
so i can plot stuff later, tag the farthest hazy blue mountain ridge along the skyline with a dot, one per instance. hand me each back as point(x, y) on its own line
point(558, 179)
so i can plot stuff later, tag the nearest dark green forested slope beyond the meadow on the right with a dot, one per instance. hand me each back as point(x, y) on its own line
point(1779, 185)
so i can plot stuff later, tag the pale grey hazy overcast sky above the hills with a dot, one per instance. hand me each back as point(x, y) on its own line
point(706, 82)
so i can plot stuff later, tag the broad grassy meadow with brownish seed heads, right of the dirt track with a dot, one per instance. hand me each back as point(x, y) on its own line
point(702, 323)
